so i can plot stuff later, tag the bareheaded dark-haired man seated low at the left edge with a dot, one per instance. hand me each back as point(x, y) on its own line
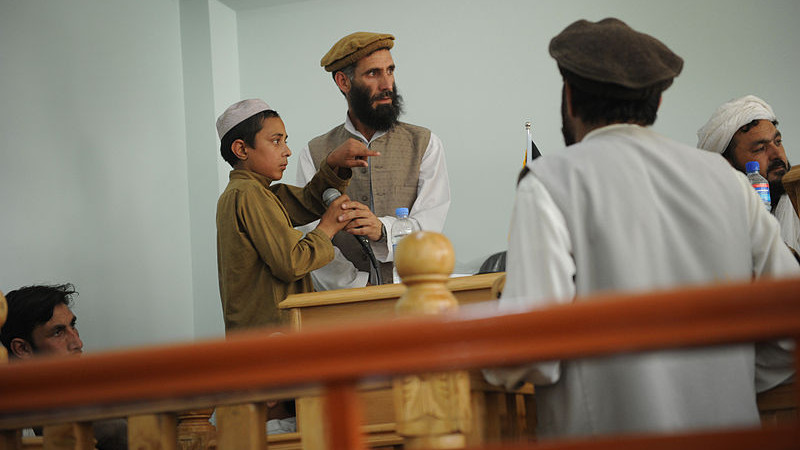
point(41, 323)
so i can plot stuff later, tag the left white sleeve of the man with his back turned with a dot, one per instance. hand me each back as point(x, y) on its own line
point(539, 272)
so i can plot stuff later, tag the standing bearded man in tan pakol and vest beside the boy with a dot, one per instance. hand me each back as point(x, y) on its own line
point(410, 171)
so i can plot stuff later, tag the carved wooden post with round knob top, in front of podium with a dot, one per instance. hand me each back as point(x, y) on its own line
point(432, 410)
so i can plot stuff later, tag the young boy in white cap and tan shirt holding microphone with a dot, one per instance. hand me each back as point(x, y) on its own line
point(261, 258)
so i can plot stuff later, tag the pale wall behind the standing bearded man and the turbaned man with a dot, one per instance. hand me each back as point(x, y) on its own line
point(473, 71)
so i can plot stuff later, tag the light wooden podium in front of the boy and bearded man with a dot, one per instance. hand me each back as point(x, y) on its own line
point(496, 414)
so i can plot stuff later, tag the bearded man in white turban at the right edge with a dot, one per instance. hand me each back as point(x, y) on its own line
point(745, 129)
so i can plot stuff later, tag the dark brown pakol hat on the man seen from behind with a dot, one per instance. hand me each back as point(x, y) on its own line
point(612, 59)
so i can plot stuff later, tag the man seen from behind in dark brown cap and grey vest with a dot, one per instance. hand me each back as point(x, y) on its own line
point(623, 208)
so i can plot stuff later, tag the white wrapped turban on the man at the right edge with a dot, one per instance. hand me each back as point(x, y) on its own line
point(717, 133)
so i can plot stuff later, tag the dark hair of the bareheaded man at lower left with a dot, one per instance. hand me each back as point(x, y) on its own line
point(31, 306)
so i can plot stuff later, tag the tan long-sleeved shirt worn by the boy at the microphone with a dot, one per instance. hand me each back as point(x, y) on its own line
point(261, 258)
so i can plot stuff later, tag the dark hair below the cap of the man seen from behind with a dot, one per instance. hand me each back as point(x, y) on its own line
point(595, 108)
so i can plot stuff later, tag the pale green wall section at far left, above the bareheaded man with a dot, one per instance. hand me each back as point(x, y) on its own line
point(93, 175)
